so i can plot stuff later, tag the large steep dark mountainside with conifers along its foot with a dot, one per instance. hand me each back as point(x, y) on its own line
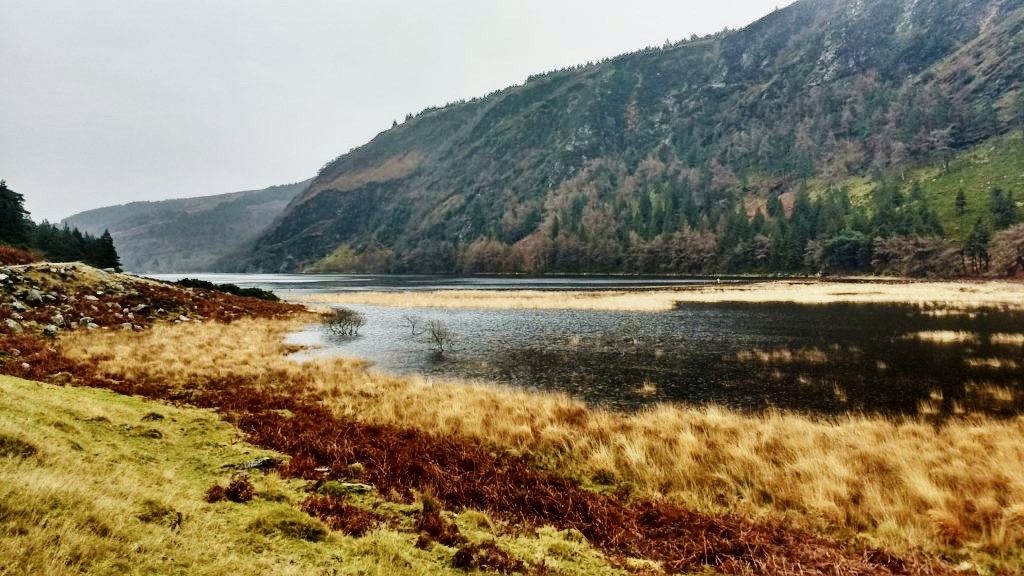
point(786, 146)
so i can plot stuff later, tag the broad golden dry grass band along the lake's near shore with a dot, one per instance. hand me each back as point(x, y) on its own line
point(957, 489)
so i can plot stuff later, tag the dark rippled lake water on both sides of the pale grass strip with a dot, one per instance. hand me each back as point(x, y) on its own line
point(822, 359)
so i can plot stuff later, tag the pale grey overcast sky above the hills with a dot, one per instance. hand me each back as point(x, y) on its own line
point(108, 102)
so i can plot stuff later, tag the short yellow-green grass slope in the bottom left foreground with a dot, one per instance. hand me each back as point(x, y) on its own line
point(92, 489)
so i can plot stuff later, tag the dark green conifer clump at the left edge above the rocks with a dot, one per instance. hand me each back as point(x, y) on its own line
point(52, 242)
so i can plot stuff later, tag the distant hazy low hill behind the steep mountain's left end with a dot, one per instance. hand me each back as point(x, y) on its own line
point(187, 235)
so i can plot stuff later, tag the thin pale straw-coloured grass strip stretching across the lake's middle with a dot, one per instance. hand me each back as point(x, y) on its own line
point(949, 296)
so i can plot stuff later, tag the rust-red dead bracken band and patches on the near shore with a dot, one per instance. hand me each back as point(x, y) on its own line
point(291, 416)
